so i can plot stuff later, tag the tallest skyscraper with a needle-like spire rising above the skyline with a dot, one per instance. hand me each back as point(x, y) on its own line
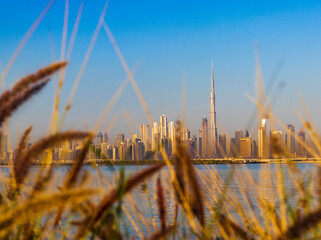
point(212, 124)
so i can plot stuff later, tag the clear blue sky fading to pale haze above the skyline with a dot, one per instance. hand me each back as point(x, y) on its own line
point(172, 41)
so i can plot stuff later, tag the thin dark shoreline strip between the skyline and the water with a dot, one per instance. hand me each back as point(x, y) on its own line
point(194, 161)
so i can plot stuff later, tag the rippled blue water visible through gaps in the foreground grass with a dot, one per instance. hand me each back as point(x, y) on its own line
point(141, 211)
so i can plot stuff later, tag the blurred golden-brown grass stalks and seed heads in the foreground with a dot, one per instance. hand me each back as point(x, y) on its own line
point(34, 207)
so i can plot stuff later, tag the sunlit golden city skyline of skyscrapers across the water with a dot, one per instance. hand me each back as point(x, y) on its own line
point(163, 135)
